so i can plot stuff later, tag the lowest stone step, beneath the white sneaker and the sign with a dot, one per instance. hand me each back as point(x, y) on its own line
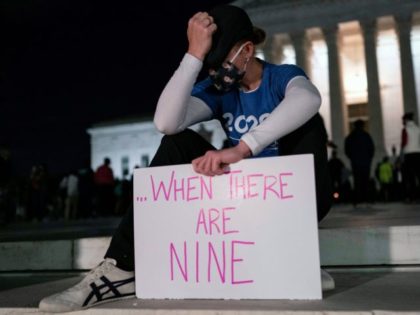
point(358, 291)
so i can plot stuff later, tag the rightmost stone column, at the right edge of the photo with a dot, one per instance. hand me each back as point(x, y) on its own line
point(407, 68)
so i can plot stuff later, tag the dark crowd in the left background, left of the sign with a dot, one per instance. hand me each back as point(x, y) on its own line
point(82, 193)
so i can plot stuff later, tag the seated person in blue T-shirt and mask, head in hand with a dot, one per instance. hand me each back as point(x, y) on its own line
point(257, 102)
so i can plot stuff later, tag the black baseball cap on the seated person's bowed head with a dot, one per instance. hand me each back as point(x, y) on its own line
point(233, 25)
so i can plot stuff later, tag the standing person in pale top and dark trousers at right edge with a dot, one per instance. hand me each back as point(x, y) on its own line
point(410, 148)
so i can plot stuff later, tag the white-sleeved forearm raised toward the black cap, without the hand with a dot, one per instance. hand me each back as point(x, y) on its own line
point(171, 110)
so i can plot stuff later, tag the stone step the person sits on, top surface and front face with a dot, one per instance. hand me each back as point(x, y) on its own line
point(387, 234)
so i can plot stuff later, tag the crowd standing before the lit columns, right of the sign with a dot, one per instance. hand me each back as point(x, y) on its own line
point(395, 177)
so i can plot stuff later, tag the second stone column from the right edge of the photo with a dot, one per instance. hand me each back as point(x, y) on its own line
point(376, 128)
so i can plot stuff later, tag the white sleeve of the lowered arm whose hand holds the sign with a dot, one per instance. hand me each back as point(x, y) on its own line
point(301, 102)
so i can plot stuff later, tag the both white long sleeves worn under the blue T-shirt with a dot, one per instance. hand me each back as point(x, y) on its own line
point(177, 109)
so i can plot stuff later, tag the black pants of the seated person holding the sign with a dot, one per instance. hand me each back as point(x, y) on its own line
point(182, 148)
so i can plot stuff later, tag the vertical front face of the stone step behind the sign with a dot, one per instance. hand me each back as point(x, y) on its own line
point(399, 245)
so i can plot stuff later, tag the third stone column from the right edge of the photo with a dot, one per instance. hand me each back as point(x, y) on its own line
point(338, 109)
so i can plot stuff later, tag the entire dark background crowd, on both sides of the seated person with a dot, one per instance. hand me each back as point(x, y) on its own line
point(86, 193)
